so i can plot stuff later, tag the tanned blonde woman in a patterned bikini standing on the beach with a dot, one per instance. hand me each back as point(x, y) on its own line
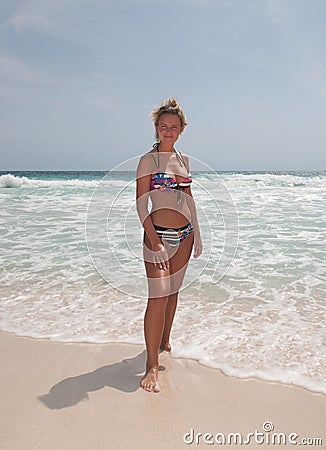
point(170, 230)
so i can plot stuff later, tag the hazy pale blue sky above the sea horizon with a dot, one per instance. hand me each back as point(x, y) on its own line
point(79, 78)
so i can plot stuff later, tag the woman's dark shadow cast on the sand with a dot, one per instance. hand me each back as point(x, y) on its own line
point(123, 375)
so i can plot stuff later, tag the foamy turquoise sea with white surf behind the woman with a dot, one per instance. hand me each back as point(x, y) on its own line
point(252, 305)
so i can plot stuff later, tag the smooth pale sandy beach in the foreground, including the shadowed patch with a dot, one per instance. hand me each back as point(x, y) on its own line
point(86, 396)
